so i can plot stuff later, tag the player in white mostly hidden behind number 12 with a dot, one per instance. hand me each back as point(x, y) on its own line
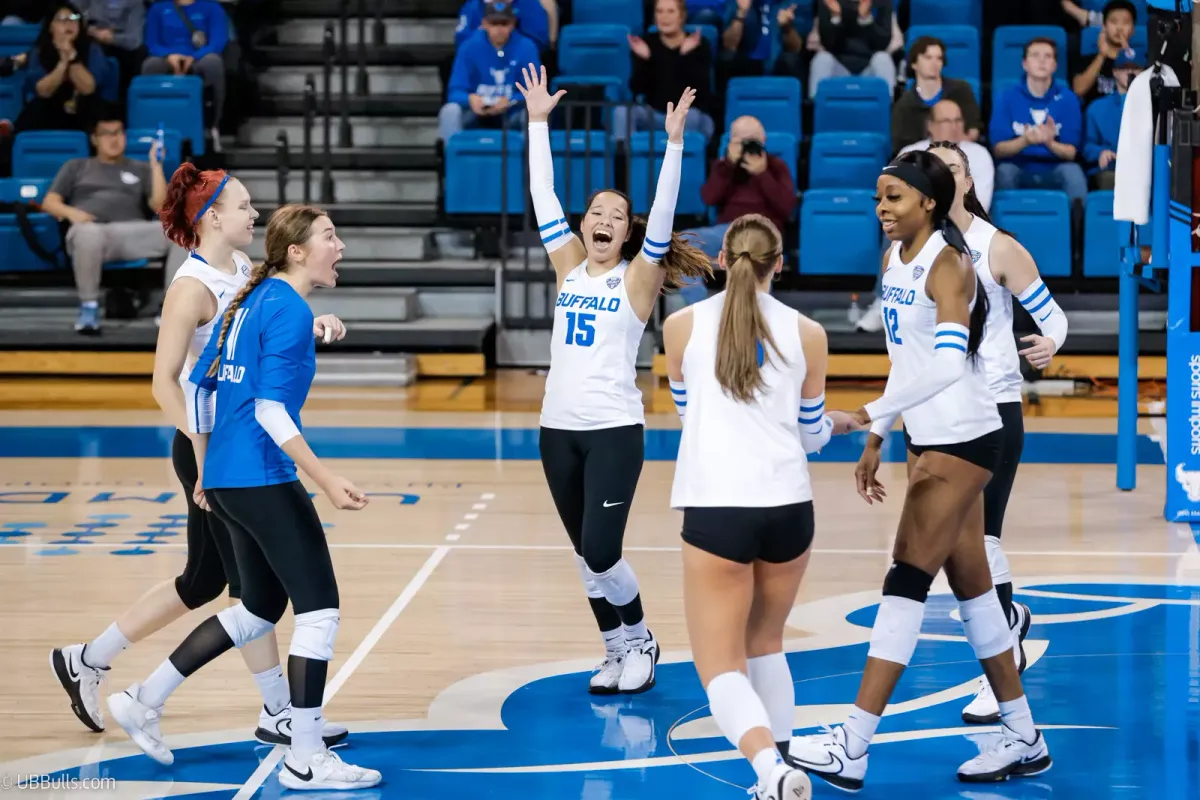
point(1007, 272)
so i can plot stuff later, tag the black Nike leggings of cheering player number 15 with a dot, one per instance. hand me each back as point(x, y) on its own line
point(592, 478)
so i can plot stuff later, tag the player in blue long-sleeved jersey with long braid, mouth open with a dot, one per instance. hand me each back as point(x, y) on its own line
point(263, 359)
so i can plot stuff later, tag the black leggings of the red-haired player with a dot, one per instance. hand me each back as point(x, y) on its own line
point(211, 557)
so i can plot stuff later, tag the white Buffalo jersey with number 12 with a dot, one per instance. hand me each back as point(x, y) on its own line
point(964, 411)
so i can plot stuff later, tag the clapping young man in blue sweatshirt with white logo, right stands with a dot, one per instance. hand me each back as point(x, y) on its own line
point(1037, 129)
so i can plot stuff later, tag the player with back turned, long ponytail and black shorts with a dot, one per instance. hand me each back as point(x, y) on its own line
point(748, 378)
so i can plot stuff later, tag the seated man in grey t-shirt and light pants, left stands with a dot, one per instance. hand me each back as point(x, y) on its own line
point(107, 201)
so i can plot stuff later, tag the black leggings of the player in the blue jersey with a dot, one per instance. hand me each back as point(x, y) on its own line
point(280, 548)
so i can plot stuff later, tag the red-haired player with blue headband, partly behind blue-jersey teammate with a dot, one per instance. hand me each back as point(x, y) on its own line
point(209, 214)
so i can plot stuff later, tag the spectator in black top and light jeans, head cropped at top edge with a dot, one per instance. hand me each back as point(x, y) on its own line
point(855, 37)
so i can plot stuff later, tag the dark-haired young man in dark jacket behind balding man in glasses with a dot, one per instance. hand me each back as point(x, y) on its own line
point(911, 115)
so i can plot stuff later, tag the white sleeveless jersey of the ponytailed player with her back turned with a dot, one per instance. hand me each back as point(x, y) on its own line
point(746, 455)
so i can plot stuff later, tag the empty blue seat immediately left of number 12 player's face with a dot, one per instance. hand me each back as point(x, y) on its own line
point(839, 233)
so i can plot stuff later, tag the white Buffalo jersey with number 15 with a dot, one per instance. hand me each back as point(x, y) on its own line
point(593, 354)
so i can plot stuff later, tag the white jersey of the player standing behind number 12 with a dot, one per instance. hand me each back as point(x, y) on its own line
point(1003, 366)
